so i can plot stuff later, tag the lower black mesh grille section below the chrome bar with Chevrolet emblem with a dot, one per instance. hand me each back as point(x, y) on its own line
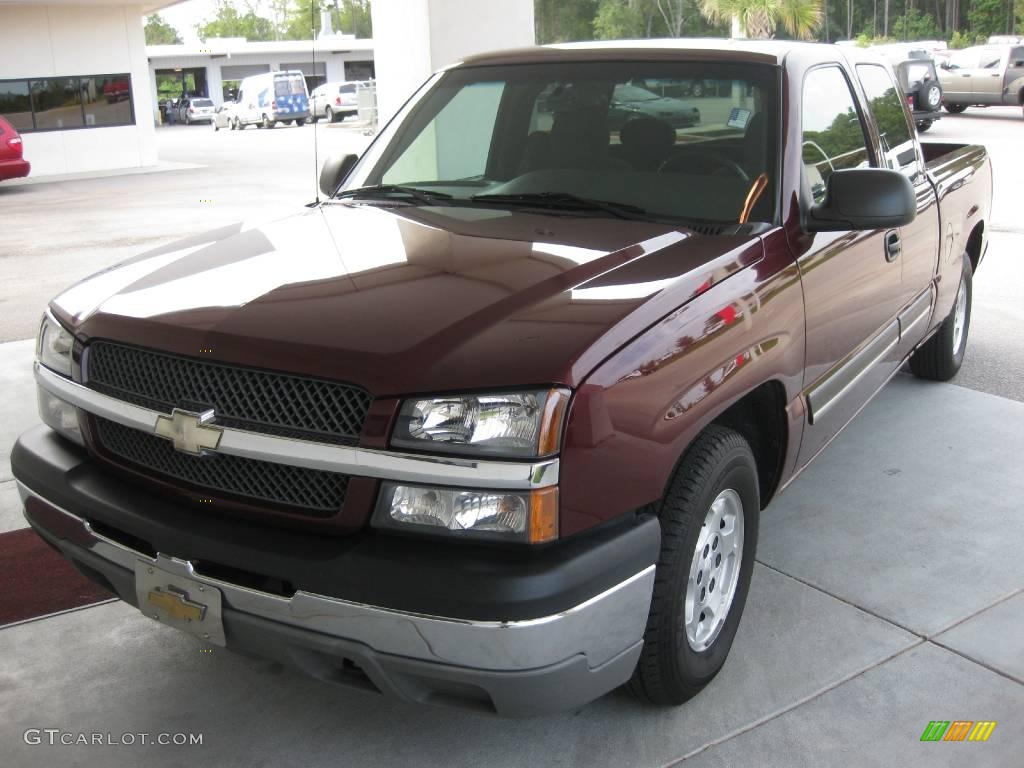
point(318, 493)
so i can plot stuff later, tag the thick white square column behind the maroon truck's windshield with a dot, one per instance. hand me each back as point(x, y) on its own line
point(415, 38)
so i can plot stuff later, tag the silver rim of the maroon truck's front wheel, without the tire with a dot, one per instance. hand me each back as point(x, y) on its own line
point(714, 571)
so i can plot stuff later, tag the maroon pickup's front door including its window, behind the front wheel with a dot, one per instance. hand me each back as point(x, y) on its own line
point(852, 283)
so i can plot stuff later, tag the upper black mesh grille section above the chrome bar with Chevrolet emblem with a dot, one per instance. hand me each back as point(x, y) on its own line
point(243, 398)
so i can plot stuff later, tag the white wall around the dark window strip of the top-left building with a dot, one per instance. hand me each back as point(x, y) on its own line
point(78, 40)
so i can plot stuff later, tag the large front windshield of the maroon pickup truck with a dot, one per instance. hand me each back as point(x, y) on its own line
point(630, 135)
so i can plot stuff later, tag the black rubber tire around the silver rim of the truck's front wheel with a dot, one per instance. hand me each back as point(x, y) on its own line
point(670, 671)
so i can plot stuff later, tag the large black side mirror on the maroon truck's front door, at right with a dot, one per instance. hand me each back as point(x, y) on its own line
point(865, 199)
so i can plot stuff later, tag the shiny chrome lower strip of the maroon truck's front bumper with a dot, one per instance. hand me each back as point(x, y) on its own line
point(600, 629)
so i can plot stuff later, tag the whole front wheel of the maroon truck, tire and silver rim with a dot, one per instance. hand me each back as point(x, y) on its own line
point(709, 539)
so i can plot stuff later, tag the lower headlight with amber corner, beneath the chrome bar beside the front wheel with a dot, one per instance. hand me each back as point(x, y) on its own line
point(529, 517)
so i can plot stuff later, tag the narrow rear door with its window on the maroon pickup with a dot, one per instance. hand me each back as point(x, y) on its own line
point(919, 241)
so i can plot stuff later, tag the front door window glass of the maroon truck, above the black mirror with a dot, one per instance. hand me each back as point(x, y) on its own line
point(833, 135)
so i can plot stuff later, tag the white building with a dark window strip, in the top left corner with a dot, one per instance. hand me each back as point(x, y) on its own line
point(74, 81)
